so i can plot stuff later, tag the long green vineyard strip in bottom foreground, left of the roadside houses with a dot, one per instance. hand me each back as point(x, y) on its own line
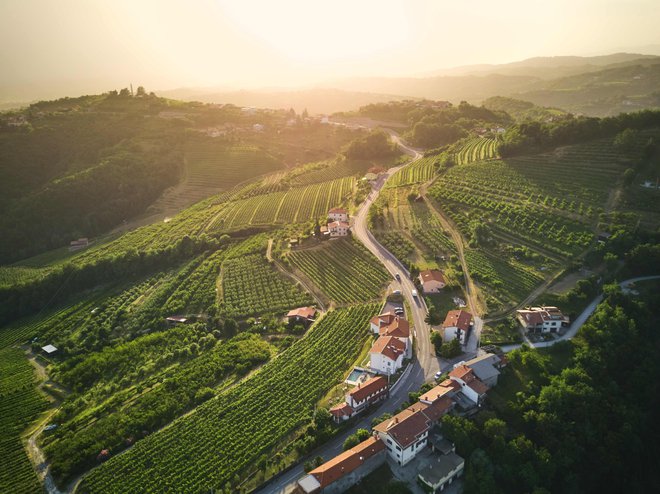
point(215, 446)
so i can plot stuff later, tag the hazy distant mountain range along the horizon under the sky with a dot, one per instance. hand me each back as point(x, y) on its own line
point(598, 86)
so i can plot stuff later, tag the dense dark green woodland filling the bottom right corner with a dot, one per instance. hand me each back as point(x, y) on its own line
point(576, 429)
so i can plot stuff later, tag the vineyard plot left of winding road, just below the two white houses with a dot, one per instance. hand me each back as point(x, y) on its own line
point(344, 270)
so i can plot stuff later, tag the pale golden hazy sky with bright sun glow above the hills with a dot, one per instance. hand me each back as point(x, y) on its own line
point(162, 44)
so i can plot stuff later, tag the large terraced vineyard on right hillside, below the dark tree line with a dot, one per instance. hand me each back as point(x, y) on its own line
point(547, 202)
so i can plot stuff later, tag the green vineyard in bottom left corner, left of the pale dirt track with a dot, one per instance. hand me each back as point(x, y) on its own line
point(20, 404)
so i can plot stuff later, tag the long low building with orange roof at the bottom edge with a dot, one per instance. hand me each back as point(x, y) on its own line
point(344, 470)
